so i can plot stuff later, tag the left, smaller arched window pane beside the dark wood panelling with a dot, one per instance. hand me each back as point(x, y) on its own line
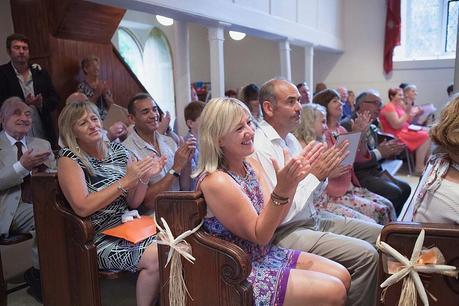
point(131, 51)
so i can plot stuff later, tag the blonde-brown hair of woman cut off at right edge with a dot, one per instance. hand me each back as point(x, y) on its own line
point(445, 132)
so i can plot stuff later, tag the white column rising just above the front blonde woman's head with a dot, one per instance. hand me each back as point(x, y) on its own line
point(217, 65)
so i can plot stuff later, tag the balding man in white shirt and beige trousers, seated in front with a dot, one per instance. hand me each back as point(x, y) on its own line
point(347, 241)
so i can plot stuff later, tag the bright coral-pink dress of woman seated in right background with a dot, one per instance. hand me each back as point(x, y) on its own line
point(412, 139)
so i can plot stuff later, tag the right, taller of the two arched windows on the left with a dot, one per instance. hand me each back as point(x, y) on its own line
point(158, 71)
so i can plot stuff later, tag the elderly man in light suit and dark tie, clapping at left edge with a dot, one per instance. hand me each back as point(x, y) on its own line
point(19, 156)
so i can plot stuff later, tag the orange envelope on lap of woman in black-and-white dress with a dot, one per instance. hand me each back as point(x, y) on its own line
point(134, 231)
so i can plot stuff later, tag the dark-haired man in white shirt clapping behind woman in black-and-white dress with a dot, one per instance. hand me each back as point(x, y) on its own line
point(144, 140)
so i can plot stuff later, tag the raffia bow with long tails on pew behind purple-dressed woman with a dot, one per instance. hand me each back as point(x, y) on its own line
point(178, 246)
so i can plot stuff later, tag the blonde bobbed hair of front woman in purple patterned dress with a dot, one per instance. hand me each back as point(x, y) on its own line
point(220, 116)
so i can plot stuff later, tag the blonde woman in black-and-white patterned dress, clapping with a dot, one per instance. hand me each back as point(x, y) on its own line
point(99, 182)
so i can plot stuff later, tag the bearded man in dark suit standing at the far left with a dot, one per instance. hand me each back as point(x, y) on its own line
point(31, 83)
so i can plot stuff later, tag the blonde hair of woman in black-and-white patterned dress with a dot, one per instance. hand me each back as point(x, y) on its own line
point(70, 114)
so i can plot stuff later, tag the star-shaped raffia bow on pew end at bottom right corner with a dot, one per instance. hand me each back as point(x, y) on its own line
point(425, 261)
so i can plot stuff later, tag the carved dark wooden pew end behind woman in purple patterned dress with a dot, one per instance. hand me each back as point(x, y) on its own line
point(218, 276)
